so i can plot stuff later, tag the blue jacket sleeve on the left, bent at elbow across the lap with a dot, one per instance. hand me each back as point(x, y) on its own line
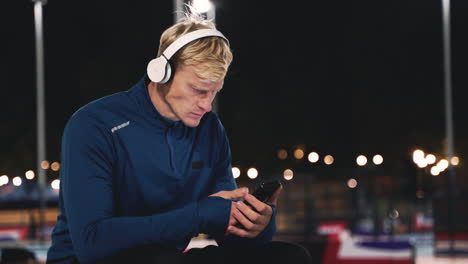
point(86, 180)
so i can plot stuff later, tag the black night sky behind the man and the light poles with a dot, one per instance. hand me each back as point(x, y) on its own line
point(338, 77)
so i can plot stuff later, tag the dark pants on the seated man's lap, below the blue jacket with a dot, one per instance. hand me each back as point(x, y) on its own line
point(271, 253)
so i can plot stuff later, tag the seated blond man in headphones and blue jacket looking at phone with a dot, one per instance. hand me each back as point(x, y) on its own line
point(146, 170)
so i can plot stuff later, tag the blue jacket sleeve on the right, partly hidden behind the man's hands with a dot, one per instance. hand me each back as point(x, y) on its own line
point(225, 182)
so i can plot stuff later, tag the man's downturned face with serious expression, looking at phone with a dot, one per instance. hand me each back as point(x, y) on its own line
point(189, 97)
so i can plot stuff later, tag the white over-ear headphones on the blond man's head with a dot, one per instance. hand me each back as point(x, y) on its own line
point(159, 69)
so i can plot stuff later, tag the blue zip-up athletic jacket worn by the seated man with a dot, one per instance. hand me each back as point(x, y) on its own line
point(131, 177)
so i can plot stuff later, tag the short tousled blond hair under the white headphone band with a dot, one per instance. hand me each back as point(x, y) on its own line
point(211, 56)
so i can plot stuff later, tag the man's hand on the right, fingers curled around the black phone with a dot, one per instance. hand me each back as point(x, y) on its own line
point(253, 219)
